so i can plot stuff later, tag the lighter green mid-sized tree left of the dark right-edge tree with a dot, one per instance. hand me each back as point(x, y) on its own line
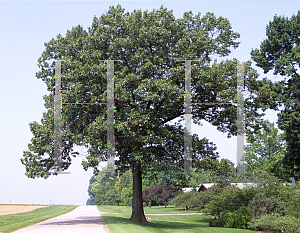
point(266, 153)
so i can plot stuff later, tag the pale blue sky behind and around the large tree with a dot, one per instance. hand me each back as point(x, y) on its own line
point(26, 25)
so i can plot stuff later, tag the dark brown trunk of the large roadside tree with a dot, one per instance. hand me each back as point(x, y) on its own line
point(137, 214)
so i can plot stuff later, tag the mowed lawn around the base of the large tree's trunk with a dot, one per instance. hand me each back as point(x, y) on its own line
point(117, 221)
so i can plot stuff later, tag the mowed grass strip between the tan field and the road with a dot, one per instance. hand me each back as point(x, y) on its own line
point(12, 222)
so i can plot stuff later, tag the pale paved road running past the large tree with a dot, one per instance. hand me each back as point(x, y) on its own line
point(83, 219)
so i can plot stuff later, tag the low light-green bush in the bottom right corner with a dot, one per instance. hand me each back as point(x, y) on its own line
point(275, 222)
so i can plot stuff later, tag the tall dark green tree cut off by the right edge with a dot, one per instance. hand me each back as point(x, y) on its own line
point(280, 52)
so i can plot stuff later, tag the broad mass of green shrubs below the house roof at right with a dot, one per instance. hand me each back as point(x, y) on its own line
point(235, 207)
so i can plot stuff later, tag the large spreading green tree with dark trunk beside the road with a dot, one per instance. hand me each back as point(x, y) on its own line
point(149, 92)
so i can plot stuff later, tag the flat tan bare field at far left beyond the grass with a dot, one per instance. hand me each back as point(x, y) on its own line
point(18, 208)
